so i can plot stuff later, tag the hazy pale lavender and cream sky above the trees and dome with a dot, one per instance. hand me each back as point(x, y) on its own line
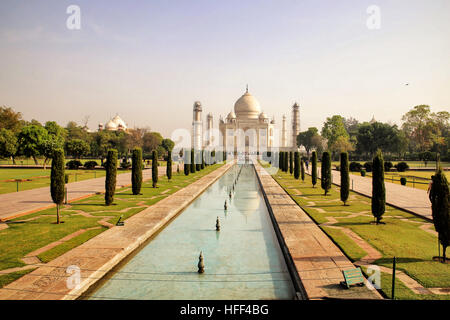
point(150, 60)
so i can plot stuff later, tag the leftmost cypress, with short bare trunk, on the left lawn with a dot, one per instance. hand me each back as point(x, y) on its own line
point(57, 180)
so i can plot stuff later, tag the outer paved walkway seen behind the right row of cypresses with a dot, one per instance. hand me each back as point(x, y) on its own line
point(410, 199)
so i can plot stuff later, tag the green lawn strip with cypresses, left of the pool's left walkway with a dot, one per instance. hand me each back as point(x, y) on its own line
point(31, 232)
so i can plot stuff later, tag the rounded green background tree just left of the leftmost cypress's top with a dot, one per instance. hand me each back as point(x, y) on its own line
point(31, 139)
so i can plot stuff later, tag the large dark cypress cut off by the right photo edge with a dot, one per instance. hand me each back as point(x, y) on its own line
point(439, 197)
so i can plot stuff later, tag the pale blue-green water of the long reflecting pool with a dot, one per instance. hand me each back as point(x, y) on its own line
point(242, 261)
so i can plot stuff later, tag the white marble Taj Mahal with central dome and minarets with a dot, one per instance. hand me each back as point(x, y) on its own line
point(245, 128)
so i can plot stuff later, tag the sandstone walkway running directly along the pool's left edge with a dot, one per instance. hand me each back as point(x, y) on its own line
point(99, 255)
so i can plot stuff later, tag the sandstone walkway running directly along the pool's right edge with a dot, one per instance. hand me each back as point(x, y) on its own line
point(318, 261)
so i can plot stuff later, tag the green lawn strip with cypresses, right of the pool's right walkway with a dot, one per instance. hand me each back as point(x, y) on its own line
point(401, 236)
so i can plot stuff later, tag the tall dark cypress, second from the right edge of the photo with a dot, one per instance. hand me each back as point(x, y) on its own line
point(378, 189)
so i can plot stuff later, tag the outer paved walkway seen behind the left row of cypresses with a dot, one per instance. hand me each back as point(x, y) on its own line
point(25, 202)
